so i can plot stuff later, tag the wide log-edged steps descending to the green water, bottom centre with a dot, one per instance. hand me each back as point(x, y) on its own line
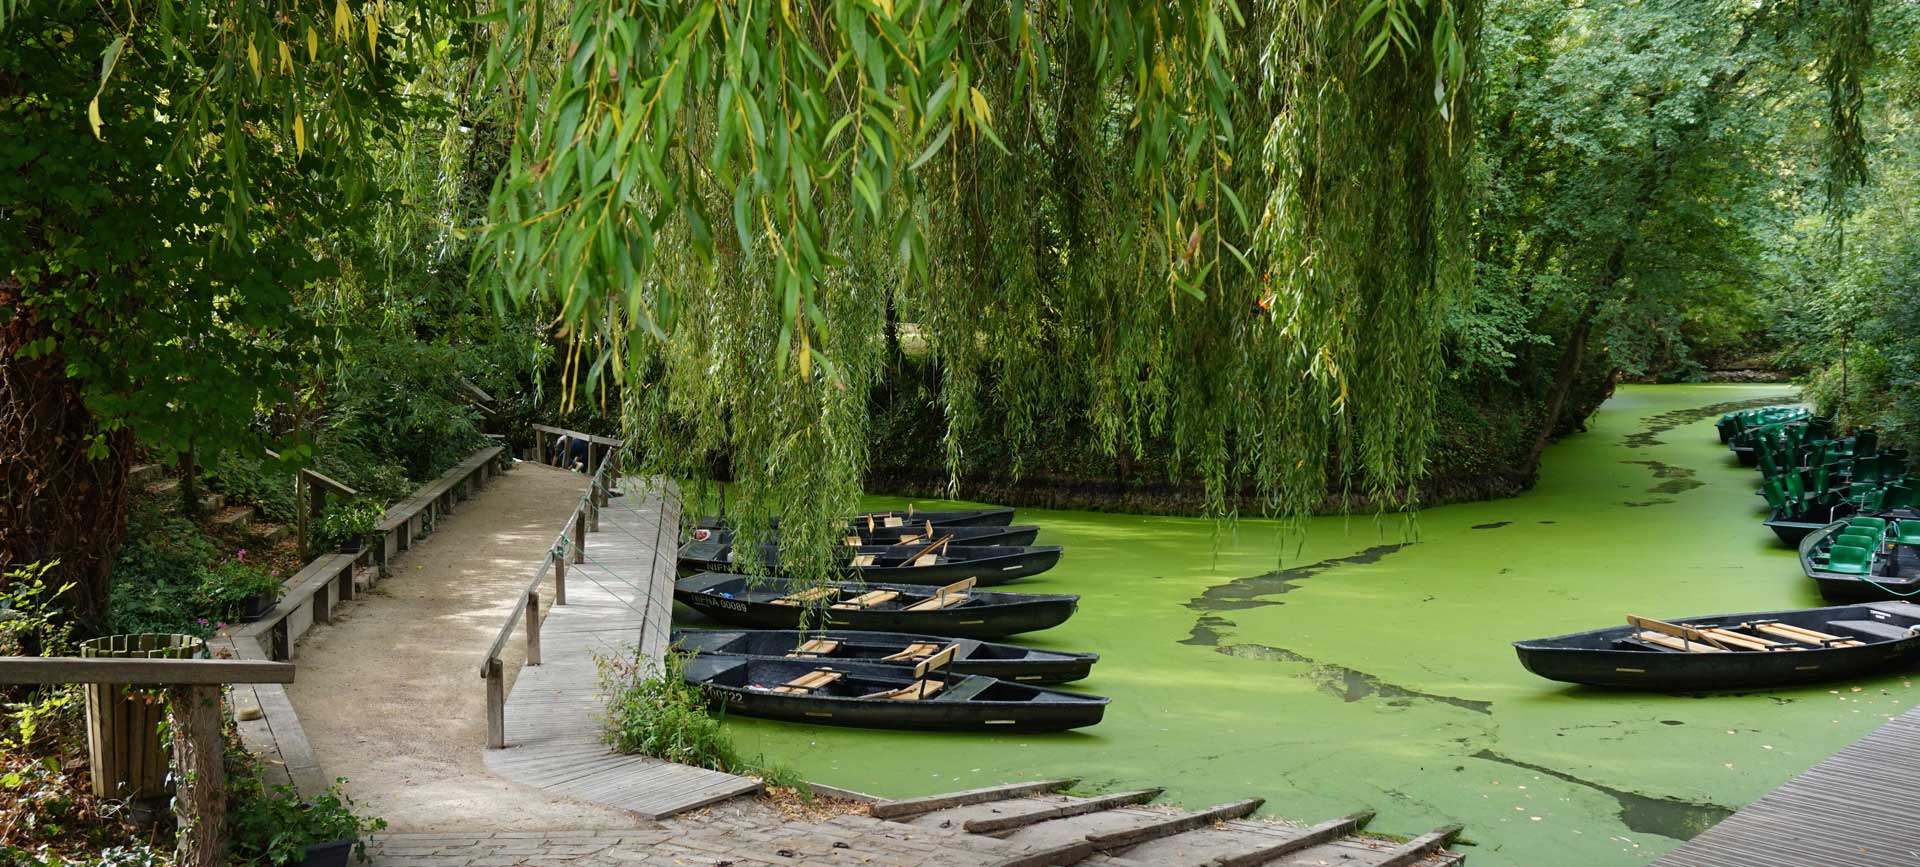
point(1051, 830)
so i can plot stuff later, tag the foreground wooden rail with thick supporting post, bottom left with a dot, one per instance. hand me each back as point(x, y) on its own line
point(193, 716)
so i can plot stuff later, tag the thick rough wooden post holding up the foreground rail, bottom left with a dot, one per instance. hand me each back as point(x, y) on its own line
point(201, 801)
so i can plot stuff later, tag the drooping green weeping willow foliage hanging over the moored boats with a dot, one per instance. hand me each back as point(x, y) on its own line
point(1226, 227)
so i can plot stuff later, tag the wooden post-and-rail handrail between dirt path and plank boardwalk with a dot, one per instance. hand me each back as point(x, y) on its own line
point(569, 546)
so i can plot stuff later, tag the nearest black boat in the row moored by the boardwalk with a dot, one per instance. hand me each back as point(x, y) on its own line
point(886, 697)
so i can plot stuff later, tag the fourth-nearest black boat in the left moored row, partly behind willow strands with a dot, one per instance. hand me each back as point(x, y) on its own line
point(921, 563)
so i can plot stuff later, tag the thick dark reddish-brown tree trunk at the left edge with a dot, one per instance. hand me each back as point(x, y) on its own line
point(57, 504)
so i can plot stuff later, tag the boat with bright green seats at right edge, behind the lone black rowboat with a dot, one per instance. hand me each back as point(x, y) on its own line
point(1865, 557)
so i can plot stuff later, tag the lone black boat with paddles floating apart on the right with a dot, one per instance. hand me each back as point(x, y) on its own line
point(1733, 651)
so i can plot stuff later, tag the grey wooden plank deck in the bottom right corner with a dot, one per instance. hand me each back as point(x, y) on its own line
point(1858, 808)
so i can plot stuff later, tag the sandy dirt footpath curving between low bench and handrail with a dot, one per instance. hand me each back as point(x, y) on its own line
point(391, 691)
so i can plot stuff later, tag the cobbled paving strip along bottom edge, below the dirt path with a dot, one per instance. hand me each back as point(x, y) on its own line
point(742, 833)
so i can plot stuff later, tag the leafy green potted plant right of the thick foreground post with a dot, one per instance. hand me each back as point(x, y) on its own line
point(277, 828)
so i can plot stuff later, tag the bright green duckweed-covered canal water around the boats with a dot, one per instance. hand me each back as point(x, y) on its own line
point(1368, 665)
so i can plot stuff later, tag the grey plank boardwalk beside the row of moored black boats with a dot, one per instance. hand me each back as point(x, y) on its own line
point(617, 601)
